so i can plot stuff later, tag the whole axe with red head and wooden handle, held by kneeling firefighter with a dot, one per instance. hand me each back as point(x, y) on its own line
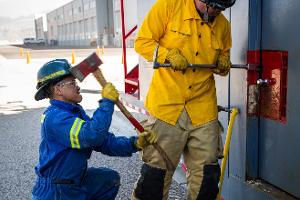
point(90, 65)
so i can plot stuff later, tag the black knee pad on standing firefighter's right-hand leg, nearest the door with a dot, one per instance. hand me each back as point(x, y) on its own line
point(209, 188)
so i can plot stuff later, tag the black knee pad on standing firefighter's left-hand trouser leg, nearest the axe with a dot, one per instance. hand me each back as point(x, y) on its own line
point(150, 184)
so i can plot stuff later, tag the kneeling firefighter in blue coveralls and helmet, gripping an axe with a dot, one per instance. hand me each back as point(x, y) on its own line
point(68, 137)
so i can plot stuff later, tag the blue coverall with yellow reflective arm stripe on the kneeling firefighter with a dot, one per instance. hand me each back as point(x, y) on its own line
point(68, 137)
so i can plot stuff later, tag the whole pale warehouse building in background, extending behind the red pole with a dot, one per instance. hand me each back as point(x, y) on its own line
point(90, 23)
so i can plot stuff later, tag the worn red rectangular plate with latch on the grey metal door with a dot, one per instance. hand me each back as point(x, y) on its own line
point(267, 88)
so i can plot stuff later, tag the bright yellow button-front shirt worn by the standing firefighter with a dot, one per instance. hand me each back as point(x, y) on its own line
point(177, 24)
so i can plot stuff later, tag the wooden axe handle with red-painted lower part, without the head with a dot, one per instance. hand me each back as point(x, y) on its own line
point(100, 78)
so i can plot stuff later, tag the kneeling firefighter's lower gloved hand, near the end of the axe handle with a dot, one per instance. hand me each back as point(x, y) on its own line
point(146, 138)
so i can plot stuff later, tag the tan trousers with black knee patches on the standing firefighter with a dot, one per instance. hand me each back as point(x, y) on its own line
point(199, 146)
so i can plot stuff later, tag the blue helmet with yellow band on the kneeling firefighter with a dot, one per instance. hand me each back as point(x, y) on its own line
point(51, 72)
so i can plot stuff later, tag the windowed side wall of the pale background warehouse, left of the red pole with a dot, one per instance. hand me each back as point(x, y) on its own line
point(81, 23)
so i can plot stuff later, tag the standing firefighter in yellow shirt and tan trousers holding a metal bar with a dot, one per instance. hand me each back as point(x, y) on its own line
point(182, 101)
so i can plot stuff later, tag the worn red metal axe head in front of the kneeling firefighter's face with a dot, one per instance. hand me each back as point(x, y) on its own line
point(87, 66)
